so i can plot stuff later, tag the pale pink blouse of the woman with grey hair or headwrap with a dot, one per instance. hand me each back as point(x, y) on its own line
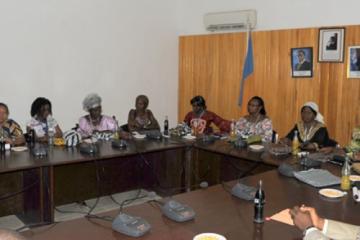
point(86, 128)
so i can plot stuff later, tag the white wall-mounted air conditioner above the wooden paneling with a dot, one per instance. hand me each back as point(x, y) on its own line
point(230, 21)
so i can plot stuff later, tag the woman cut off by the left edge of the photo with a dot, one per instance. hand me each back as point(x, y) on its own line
point(10, 130)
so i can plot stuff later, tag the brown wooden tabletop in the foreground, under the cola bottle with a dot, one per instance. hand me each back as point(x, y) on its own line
point(217, 211)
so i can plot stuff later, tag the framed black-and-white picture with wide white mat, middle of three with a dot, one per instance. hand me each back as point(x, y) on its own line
point(331, 44)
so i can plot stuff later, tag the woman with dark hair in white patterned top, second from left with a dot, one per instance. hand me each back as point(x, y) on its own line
point(42, 121)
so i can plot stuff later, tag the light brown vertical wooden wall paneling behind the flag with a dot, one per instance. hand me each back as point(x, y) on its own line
point(212, 65)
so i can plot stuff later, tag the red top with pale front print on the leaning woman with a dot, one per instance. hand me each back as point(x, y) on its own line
point(202, 123)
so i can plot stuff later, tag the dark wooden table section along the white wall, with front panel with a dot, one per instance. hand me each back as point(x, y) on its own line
point(34, 185)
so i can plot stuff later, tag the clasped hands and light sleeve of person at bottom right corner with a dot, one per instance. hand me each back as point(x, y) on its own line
point(316, 228)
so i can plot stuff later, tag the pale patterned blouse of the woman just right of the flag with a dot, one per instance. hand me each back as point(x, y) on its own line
point(262, 128)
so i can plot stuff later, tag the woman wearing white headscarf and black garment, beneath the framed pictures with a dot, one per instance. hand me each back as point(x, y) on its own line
point(312, 132)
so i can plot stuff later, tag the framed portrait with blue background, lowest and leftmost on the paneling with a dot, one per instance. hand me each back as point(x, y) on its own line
point(302, 62)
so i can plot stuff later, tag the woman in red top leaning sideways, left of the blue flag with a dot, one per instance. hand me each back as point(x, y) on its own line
point(201, 119)
